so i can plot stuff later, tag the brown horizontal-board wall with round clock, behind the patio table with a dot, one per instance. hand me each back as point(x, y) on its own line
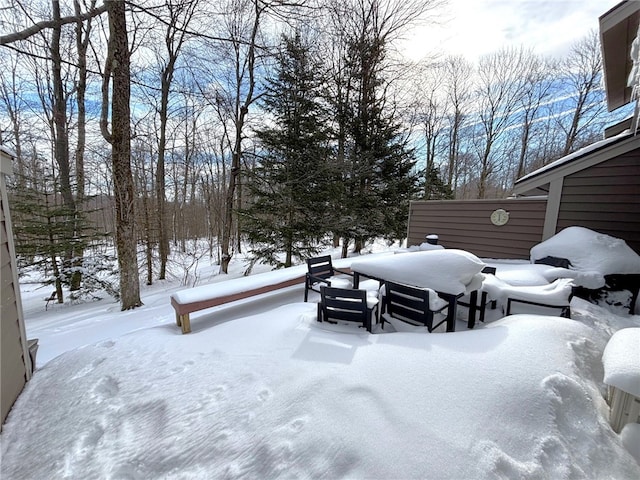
point(466, 224)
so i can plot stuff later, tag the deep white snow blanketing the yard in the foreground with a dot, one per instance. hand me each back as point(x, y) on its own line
point(259, 389)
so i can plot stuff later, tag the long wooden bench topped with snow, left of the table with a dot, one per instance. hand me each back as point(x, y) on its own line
point(206, 296)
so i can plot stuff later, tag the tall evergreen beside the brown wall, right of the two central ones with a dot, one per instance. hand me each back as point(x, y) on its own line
point(380, 178)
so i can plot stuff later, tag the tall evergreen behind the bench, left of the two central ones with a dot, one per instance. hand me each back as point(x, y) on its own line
point(288, 184)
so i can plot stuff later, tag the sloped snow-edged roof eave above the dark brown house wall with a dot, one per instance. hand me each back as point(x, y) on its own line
point(536, 183)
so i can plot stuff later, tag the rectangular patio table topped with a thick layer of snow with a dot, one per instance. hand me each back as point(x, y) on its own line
point(449, 274)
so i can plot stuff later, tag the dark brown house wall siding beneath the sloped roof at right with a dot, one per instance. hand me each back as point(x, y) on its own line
point(605, 198)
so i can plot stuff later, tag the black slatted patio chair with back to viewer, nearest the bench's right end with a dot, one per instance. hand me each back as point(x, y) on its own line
point(346, 305)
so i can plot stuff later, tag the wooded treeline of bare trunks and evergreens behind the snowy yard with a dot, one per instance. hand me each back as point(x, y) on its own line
point(284, 124)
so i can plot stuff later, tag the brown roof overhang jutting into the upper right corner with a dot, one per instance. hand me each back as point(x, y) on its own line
point(618, 29)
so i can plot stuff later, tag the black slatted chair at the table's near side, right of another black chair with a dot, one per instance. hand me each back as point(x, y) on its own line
point(409, 305)
